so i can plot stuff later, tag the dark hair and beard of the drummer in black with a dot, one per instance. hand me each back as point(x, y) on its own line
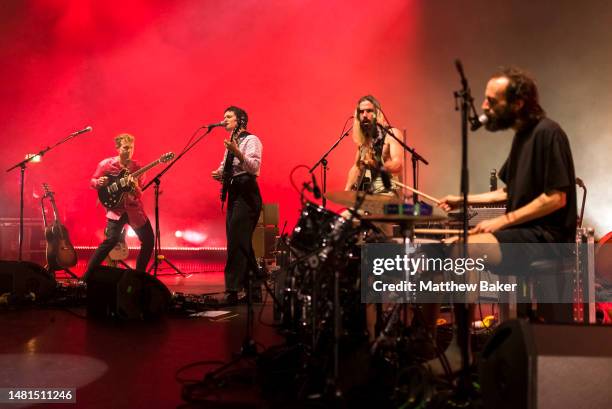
point(521, 86)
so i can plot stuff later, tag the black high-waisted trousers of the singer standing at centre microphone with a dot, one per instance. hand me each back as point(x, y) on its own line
point(243, 208)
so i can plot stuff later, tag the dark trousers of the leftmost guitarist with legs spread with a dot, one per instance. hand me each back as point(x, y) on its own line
point(113, 235)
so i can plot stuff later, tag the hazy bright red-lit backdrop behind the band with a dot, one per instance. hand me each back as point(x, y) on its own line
point(160, 69)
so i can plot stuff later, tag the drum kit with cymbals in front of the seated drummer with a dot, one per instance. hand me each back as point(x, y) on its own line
point(321, 300)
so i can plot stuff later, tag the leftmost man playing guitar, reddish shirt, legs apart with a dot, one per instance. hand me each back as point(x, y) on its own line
point(130, 209)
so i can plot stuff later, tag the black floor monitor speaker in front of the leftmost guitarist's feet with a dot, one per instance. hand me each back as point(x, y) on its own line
point(125, 294)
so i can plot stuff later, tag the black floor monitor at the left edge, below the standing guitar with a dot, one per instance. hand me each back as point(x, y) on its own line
point(23, 278)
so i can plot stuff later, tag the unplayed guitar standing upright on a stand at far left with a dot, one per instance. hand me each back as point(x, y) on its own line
point(60, 252)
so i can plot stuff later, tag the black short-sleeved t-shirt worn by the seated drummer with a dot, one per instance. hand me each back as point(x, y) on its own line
point(540, 161)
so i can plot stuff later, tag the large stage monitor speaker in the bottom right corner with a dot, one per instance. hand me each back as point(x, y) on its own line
point(544, 366)
